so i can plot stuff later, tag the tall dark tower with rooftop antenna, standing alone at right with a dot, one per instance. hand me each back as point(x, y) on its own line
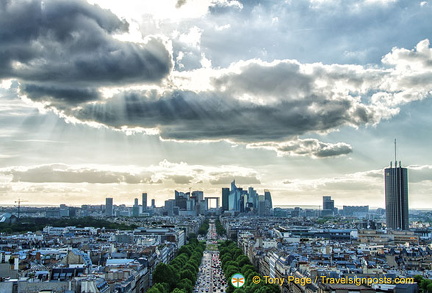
point(396, 196)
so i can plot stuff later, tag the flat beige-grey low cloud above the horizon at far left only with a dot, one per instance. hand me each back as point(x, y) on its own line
point(63, 173)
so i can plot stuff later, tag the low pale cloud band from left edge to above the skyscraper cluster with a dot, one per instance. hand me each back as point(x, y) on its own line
point(179, 173)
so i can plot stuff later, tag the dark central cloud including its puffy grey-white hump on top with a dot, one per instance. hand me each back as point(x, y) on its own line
point(291, 105)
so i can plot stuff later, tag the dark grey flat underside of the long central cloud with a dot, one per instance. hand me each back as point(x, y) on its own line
point(189, 116)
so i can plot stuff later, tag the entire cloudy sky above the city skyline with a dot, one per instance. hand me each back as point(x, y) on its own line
point(111, 98)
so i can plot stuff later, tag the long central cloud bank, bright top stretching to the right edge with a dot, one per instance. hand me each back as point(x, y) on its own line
point(256, 102)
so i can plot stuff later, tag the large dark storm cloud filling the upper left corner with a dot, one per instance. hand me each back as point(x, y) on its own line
point(71, 42)
